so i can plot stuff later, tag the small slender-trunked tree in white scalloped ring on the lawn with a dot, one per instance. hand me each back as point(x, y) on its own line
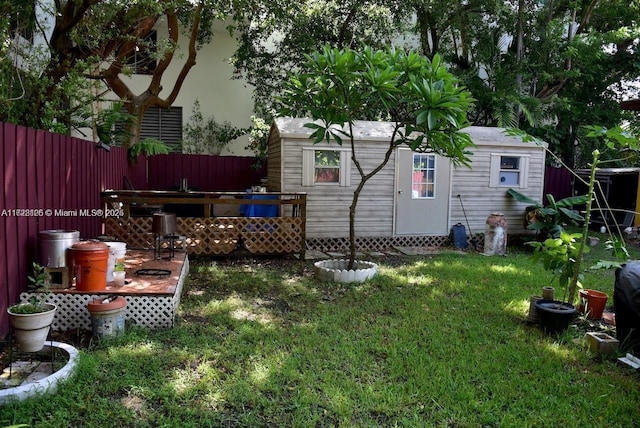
point(423, 101)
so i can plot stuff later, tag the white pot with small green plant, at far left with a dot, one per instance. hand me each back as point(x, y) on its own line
point(31, 320)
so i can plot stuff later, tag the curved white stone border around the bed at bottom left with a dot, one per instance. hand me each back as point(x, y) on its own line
point(47, 384)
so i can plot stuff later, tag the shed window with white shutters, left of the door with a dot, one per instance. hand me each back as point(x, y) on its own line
point(326, 167)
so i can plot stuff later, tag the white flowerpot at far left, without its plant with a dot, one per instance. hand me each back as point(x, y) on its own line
point(31, 330)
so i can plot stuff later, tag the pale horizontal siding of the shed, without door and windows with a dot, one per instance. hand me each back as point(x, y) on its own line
point(328, 206)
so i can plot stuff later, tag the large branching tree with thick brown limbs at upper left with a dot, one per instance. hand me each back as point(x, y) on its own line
point(86, 51)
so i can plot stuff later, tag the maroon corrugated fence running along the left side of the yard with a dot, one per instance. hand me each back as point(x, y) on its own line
point(48, 182)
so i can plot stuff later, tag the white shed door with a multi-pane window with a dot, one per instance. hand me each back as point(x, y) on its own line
point(422, 193)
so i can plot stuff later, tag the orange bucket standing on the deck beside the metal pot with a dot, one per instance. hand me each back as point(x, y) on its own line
point(89, 265)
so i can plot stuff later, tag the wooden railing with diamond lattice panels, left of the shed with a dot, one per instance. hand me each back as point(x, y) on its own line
point(210, 223)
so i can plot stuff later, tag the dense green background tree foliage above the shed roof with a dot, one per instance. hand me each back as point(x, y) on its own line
point(548, 67)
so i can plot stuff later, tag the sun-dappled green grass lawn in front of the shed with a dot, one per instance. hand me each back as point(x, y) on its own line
point(433, 341)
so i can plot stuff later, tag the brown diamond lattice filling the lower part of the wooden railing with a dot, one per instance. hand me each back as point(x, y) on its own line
point(218, 235)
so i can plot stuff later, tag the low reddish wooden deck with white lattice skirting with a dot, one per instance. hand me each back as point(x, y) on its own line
point(152, 300)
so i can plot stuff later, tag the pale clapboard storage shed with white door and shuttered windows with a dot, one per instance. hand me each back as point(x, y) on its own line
point(416, 198)
